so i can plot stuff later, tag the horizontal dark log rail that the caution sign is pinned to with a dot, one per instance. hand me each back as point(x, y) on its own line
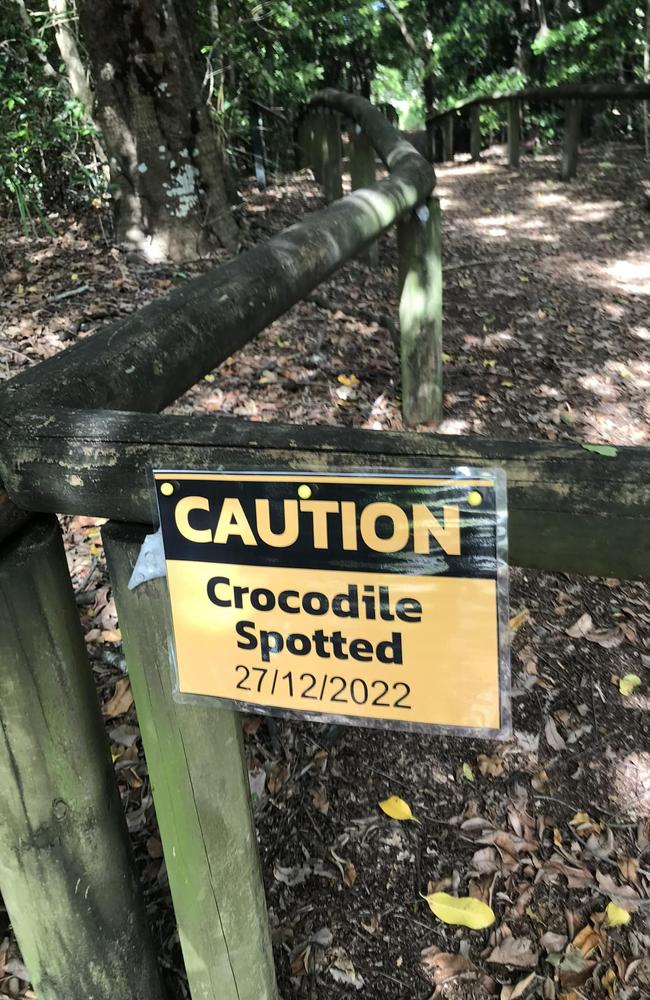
point(571, 509)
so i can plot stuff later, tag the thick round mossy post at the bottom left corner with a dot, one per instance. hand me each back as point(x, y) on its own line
point(66, 870)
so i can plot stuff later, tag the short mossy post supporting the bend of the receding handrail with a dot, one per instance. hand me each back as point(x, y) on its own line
point(419, 243)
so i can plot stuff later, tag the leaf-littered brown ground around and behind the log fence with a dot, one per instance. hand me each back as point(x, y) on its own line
point(547, 333)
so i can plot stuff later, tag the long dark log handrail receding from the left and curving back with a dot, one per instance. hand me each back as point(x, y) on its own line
point(147, 360)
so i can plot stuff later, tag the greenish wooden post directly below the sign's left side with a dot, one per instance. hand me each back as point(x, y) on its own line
point(201, 793)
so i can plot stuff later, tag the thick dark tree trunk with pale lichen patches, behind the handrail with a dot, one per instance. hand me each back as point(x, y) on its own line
point(165, 160)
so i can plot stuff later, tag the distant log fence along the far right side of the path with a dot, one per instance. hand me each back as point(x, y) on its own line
point(440, 127)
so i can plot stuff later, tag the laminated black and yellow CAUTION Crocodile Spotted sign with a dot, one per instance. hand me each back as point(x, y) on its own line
point(368, 598)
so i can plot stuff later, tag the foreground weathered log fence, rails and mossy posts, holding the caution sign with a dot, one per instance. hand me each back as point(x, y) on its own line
point(80, 433)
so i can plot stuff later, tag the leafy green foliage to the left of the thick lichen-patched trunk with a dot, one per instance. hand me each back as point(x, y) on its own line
point(46, 151)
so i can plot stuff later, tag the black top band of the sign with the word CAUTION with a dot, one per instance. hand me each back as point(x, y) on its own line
point(359, 527)
